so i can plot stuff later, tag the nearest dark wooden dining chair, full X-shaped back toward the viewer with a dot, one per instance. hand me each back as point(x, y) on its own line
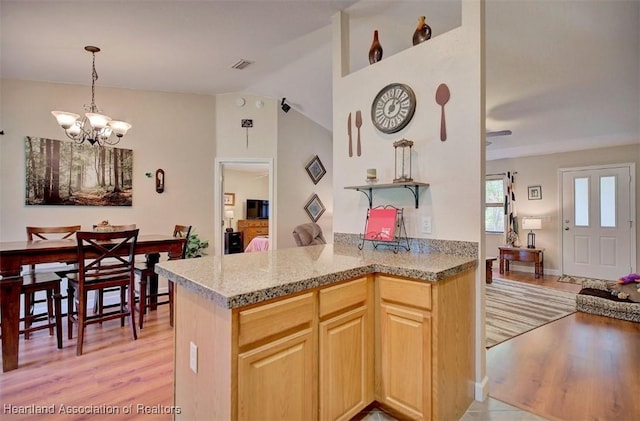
point(105, 260)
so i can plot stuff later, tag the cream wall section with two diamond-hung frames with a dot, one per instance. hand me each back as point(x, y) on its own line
point(299, 140)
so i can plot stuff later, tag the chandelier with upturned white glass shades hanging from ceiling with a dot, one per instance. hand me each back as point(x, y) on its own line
point(94, 127)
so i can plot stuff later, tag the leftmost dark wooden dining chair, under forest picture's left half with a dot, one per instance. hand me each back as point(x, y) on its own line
point(38, 279)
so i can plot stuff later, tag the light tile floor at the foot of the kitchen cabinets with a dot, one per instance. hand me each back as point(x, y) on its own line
point(489, 410)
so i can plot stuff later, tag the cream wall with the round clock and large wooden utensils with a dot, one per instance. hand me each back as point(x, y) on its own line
point(453, 168)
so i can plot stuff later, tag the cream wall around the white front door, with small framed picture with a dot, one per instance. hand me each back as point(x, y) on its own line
point(543, 171)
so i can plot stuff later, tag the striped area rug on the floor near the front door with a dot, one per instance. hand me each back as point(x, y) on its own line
point(513, 308)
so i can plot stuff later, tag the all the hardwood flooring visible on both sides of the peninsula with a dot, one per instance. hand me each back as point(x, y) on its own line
point(581, 367)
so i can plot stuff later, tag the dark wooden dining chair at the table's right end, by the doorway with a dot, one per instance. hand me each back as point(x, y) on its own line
point(146, 299)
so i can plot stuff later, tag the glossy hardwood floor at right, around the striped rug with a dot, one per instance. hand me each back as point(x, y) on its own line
point(581, 367)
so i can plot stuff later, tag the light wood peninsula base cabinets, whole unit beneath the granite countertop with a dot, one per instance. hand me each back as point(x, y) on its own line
point(330, 351)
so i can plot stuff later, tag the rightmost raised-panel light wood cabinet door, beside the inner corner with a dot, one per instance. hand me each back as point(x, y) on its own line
point(405, 348)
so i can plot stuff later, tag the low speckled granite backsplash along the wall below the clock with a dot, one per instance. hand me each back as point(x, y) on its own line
point(418, 245)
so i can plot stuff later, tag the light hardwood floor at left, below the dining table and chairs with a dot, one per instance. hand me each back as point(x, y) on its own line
point(114, 373)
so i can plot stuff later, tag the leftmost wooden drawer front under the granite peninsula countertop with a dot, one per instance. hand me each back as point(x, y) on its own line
point(270, 319)
